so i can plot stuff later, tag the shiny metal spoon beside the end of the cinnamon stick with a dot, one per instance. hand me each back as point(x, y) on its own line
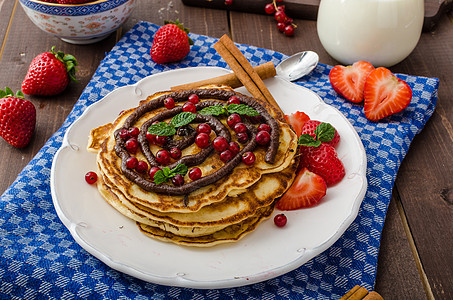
point(298, 65)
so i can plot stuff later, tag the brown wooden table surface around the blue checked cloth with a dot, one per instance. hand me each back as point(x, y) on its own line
point(416, 253)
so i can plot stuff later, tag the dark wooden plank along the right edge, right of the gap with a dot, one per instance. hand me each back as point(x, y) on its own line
point(424, 181)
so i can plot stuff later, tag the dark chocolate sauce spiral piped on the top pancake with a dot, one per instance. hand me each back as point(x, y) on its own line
point(196, 159)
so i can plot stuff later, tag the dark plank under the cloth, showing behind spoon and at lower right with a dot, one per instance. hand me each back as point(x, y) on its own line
point(396, 266)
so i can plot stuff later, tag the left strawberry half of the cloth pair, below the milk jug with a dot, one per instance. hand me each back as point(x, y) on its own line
point(349, 81)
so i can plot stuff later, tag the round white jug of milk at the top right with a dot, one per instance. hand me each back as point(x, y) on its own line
point(383, 32)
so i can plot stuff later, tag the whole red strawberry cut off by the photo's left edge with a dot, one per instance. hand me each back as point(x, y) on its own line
point(17, 118)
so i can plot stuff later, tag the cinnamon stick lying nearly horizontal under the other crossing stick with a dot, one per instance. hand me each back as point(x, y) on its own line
point(264, 71)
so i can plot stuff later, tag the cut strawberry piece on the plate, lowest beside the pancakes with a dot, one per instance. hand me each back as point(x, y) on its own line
point(306, 190)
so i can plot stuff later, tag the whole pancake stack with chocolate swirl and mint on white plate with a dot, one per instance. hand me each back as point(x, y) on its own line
point(229, 199)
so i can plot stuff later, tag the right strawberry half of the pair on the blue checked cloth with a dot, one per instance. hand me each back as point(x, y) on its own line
point(385, 94)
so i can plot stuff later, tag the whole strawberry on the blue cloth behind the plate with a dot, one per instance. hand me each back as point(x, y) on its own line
point(171, 43)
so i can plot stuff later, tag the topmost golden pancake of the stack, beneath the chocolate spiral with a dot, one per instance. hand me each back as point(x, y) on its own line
point(239, 179)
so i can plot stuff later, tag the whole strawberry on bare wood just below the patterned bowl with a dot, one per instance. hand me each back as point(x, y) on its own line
point(49, 73)
